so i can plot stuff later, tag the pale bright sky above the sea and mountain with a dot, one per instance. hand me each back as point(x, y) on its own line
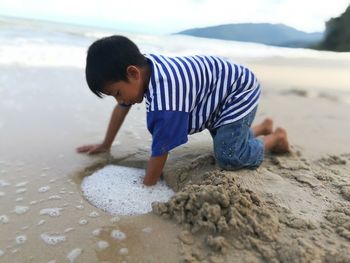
point(164, 17)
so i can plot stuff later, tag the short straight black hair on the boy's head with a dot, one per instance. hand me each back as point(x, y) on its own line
point(107, 60)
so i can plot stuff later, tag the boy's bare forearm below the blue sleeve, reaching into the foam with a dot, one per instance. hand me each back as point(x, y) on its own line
point(154, 169)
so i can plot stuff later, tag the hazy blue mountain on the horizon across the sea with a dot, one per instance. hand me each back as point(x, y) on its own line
point(265, 33)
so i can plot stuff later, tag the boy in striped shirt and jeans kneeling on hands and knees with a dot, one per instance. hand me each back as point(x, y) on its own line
point(183, 95)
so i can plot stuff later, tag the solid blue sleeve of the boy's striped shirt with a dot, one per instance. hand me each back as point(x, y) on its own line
point(168, 129)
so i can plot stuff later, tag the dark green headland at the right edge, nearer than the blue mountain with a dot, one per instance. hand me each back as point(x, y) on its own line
point(337, 35)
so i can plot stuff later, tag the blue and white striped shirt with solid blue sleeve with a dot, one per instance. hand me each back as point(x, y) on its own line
point(189, 94)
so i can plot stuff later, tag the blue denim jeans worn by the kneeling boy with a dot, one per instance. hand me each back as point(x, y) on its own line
point(235, 146)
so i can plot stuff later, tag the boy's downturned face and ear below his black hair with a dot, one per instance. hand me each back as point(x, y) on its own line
point(127, 92)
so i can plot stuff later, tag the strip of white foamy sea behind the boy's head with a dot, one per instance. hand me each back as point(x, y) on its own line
point(39, 43)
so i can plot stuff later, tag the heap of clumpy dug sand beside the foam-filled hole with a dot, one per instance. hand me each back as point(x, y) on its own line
point(220, 205)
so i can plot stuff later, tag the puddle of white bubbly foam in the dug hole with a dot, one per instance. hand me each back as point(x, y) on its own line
point(119, 190)
